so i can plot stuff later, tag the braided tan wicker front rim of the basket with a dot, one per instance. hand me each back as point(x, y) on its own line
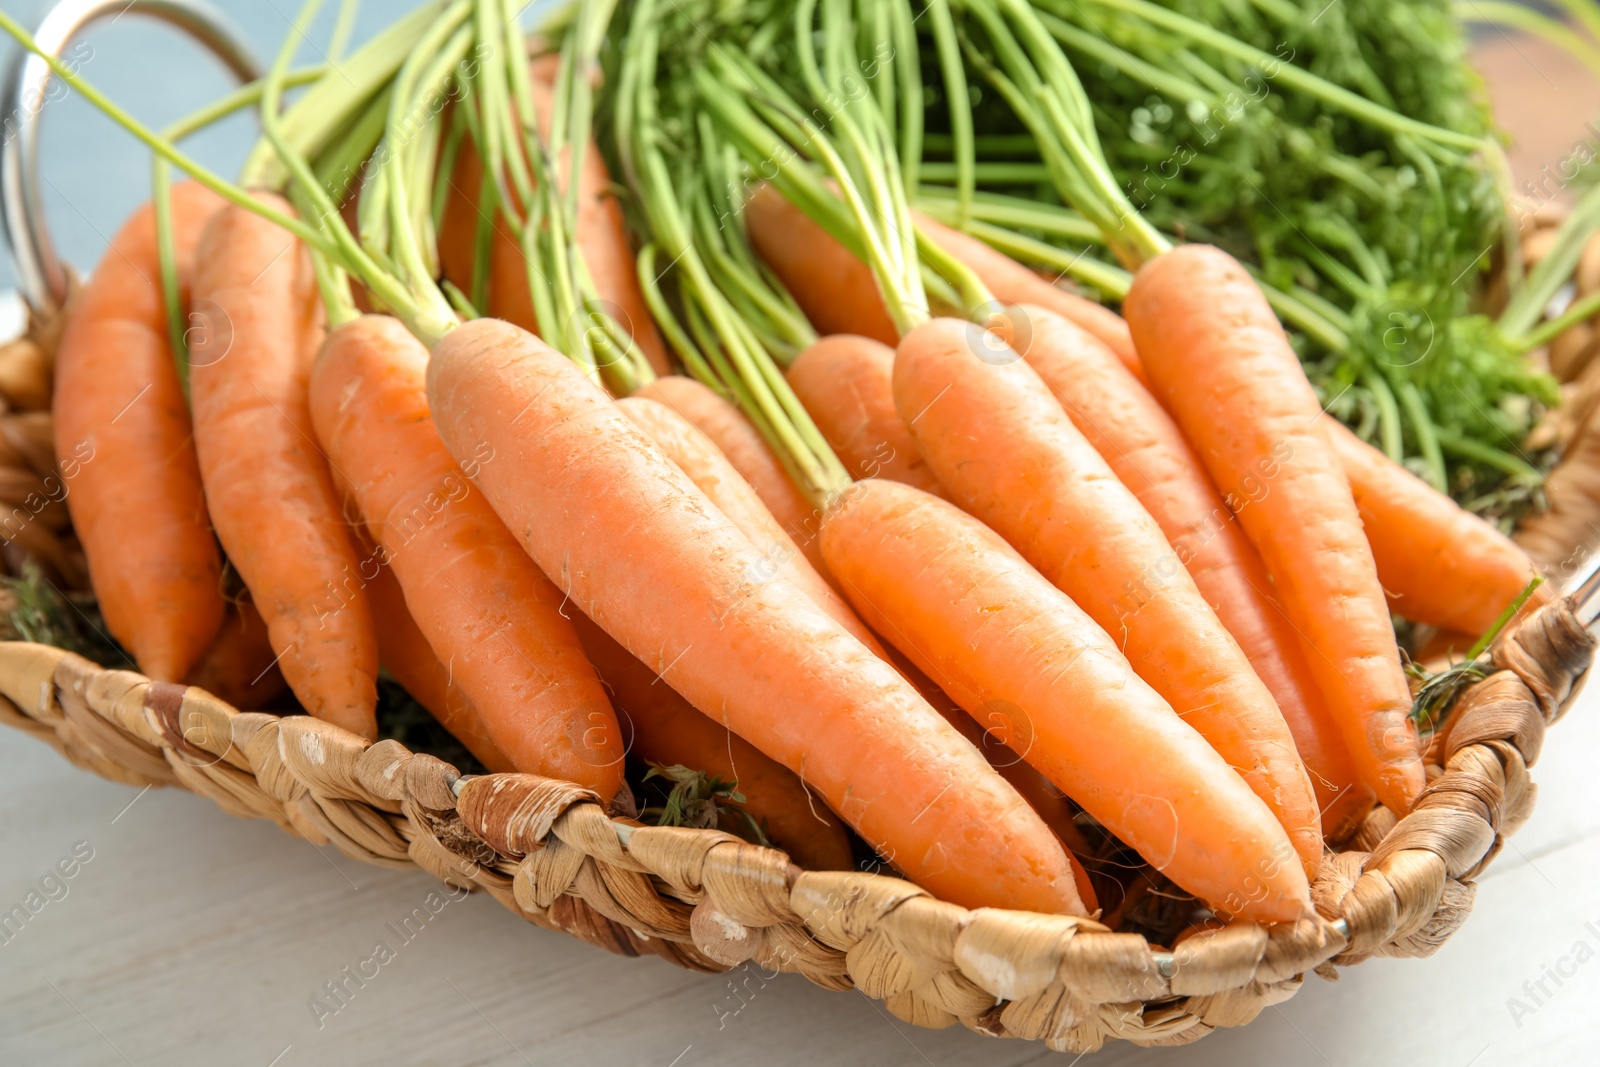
point(708, 901)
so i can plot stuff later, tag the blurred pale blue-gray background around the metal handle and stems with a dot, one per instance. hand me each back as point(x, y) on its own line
point(95, 174)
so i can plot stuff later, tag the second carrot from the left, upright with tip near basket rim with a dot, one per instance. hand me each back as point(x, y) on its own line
point(268, 484)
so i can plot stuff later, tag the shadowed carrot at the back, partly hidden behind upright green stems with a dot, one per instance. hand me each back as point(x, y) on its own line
point(601, 236)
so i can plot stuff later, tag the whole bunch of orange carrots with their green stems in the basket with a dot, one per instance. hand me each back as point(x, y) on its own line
point(767, 478)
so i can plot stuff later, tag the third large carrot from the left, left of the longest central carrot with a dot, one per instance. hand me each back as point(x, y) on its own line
point(481, 602)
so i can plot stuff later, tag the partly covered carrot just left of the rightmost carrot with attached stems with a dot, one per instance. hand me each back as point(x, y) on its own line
point(1150, 455)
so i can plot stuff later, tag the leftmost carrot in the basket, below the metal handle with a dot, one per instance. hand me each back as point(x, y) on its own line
point(137, 500)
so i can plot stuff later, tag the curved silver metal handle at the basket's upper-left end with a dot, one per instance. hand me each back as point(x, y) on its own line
point(41, 276)
